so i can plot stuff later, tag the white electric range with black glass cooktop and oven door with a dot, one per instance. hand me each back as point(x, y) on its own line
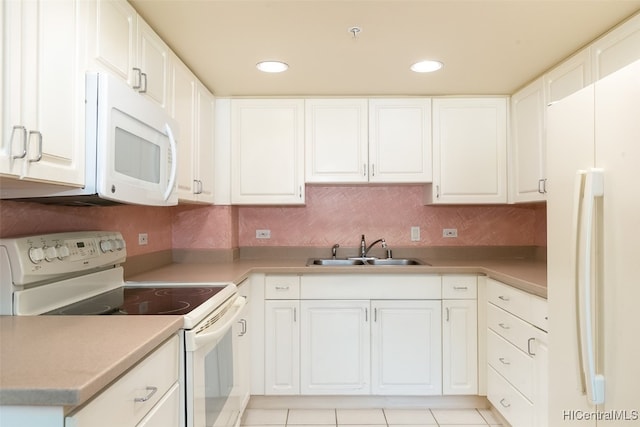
point(79, 273)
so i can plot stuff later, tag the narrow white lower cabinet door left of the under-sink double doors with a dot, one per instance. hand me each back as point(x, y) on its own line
point(282, 346)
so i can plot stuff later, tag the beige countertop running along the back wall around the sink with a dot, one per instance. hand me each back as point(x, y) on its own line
point(527, 275)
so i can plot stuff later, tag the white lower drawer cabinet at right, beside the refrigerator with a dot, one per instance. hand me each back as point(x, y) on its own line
point(517, 355)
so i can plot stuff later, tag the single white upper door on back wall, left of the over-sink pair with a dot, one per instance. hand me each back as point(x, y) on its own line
point(267, 137)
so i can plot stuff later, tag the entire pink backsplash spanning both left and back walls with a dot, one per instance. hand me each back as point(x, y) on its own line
point(331, 215)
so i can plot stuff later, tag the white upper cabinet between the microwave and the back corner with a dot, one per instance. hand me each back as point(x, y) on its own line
point(193, 108)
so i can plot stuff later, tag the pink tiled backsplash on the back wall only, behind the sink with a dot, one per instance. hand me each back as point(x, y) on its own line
point(341, 214)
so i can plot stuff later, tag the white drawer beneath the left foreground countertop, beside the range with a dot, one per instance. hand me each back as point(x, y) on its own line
point(150, 380)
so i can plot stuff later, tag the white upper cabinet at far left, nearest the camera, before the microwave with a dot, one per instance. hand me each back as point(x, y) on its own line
point(43, 103)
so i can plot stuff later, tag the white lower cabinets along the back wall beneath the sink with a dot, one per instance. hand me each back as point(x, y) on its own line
point(380, 334)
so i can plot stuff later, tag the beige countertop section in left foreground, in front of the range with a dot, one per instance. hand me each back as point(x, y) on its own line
point(64, 360)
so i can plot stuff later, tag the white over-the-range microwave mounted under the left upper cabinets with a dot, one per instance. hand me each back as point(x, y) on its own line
point(131, 151)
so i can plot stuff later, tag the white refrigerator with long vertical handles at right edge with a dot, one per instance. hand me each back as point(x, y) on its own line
point(593, 211)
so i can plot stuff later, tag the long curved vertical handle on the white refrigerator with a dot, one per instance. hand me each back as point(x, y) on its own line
point(584, 223)
